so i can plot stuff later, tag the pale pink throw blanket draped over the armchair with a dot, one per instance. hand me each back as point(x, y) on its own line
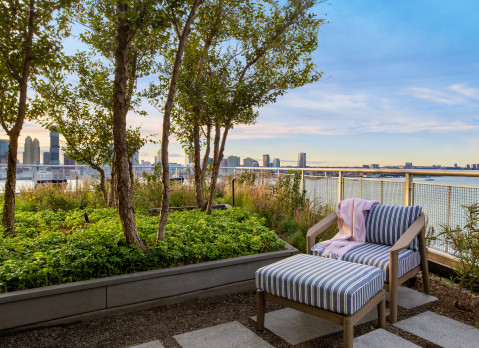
point(352, 228)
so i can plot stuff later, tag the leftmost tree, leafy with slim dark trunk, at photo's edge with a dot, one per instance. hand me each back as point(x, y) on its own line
point(30, 43)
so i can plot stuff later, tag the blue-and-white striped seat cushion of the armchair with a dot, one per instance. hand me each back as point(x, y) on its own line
point(377, 255)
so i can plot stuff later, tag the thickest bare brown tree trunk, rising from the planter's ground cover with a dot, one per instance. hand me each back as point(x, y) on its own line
point(120, 109)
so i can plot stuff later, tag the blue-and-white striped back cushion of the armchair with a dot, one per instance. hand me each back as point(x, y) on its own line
point(385, 224)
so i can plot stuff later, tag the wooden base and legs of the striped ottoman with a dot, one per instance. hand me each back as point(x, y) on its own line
point(347, 321)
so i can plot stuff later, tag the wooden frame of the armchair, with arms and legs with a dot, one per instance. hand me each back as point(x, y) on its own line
point(417, 229)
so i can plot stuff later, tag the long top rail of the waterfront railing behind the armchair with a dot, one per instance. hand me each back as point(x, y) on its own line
point(431, 172)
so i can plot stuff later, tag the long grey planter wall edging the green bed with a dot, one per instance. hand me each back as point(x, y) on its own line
point(94, 298)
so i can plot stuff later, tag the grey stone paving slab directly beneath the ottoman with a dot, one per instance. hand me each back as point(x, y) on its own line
point(296, 327)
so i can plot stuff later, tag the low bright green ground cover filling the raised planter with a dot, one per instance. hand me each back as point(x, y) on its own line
point(59, 247)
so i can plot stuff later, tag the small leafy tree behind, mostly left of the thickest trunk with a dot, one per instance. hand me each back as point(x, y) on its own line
point(82, 113)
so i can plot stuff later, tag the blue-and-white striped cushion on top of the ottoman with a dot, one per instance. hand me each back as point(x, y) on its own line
point(336, 286)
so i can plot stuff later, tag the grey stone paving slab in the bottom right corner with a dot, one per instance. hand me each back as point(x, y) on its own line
point(441, 330)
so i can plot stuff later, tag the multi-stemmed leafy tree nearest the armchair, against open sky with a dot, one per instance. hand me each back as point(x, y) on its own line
point(267, 51)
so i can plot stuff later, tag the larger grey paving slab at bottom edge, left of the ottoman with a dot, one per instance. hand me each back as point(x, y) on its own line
point(229, 335)
